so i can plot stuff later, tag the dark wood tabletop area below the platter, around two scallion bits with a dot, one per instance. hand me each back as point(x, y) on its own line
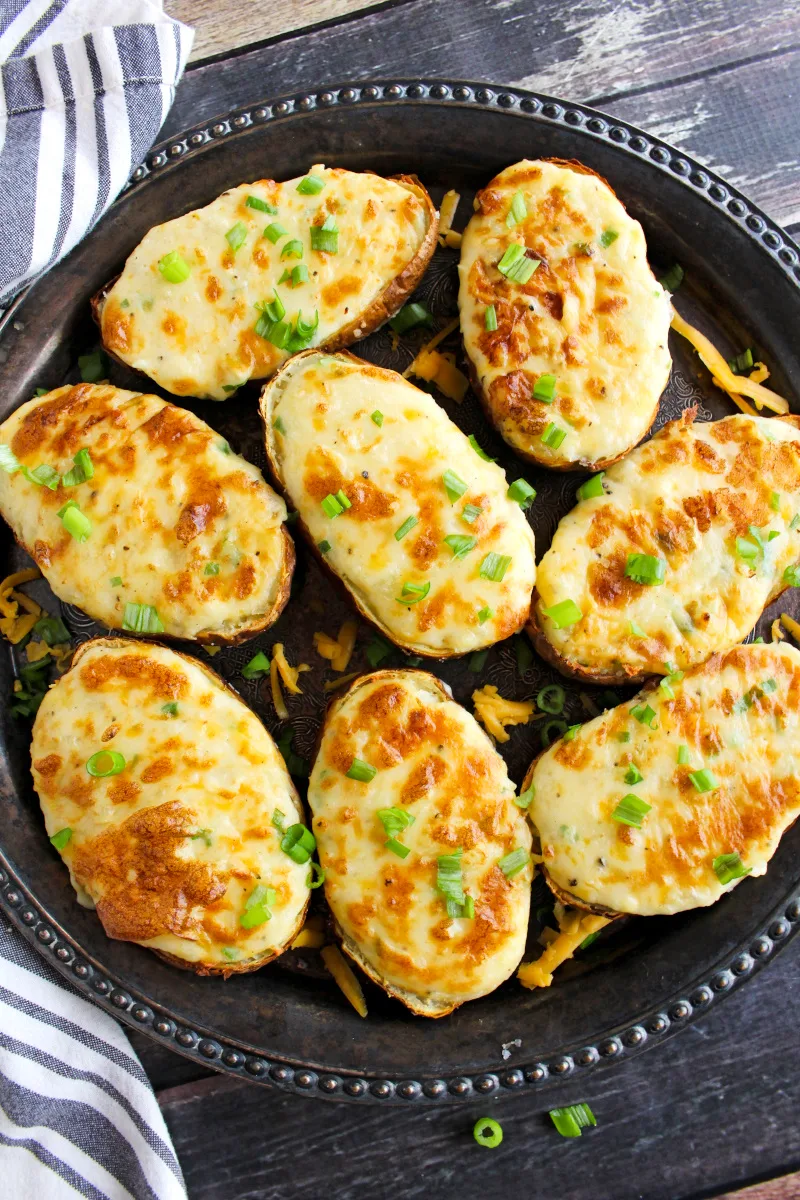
point(706, 1114)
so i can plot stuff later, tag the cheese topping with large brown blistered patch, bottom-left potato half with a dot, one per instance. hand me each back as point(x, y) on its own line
point(170, 850)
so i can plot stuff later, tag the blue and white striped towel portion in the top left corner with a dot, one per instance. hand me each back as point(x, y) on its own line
point(85, 88)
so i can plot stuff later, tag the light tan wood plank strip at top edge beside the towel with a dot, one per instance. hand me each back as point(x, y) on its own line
point(225, 26)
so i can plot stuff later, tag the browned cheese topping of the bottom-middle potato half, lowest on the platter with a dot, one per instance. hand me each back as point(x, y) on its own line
point(436, 764)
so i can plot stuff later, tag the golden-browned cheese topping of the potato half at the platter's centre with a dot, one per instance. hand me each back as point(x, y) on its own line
point(392, 473)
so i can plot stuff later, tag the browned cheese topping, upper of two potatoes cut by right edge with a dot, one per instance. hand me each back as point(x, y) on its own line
point(685, 497)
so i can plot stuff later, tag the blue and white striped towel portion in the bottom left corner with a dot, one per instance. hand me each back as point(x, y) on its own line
point(77, 1113)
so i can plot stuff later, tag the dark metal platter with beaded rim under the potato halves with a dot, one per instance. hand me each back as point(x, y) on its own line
point(288, 1024)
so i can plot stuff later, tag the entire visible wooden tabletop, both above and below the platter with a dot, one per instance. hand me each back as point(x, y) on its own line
point(714, 1111)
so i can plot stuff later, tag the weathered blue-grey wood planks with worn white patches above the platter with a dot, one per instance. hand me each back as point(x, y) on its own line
point(634, 59)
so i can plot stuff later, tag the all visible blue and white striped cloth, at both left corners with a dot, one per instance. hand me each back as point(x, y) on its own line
point(85, 89)
